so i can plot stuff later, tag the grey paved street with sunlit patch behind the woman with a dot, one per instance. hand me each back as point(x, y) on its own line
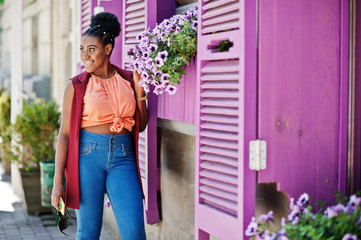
point(16, 224)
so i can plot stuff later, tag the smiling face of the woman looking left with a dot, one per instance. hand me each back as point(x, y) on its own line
point(94, 54)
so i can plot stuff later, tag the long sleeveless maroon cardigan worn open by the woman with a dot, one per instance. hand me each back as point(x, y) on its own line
point(72, 163)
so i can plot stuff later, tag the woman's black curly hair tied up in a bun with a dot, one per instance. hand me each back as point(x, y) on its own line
point(105, 26)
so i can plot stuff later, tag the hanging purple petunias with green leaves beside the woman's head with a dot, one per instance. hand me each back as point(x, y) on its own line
point(162, 53)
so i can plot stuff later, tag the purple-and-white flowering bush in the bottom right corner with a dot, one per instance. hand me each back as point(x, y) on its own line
point(339, 222)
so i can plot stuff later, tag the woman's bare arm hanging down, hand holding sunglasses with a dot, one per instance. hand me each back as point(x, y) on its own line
point(62, 147)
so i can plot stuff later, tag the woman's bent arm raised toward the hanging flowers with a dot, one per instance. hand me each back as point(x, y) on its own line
point(142, 106)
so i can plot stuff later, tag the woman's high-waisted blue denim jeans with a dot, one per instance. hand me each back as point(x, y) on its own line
point(107, 164)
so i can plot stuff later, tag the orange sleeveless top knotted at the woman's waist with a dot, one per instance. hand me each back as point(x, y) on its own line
point(109, 100)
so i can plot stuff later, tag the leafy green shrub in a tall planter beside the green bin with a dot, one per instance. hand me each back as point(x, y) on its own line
point(34, 131)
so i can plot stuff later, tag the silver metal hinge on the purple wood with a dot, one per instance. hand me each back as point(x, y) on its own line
point(257, 155)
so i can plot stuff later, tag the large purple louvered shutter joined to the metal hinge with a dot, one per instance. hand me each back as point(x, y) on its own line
point(226, 119)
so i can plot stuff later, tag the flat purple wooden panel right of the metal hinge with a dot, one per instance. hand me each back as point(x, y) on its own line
point(299, 94)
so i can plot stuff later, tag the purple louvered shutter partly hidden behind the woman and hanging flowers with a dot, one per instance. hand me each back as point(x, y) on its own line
point(139, 15)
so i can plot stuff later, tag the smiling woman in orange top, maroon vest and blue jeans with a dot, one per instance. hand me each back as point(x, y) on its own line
point(103, 112)
